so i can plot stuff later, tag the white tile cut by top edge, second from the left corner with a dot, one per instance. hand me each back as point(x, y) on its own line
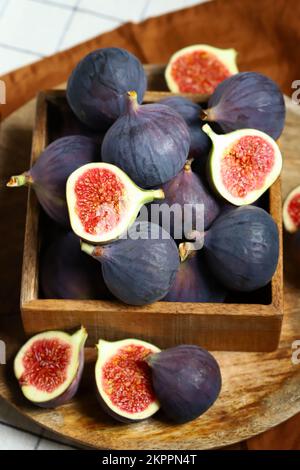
point(124, 9)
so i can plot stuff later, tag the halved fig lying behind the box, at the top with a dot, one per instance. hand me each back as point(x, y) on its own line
point(199, 68)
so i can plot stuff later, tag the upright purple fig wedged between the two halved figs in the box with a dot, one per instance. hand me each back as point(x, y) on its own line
point(188, 188)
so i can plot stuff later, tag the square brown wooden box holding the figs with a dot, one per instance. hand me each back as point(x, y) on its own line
point(247, 322)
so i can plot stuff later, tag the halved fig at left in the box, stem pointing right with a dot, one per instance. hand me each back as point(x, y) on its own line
point(103, 201)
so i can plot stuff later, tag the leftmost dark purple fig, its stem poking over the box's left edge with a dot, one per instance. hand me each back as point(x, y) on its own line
point(49, 174)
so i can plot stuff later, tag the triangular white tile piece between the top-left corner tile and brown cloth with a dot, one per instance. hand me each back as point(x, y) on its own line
point(88, 25)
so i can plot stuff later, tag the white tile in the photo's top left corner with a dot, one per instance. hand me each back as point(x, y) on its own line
point(33, 26)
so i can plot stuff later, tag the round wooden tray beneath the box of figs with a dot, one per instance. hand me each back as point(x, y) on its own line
point(259, 390)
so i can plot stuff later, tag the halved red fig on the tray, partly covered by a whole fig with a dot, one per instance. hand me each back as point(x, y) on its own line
point(123, 379)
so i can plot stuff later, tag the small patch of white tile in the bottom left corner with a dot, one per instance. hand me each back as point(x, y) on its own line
point(13, 439)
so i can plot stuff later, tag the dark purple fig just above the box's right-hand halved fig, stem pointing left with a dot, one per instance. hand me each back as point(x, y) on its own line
point(247, 100)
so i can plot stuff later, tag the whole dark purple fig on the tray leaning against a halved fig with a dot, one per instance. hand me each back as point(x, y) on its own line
point(186, 380)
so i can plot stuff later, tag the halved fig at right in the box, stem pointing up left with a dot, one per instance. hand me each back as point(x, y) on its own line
point(243, 164)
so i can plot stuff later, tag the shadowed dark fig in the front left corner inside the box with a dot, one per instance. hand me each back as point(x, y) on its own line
point(67, 273)
